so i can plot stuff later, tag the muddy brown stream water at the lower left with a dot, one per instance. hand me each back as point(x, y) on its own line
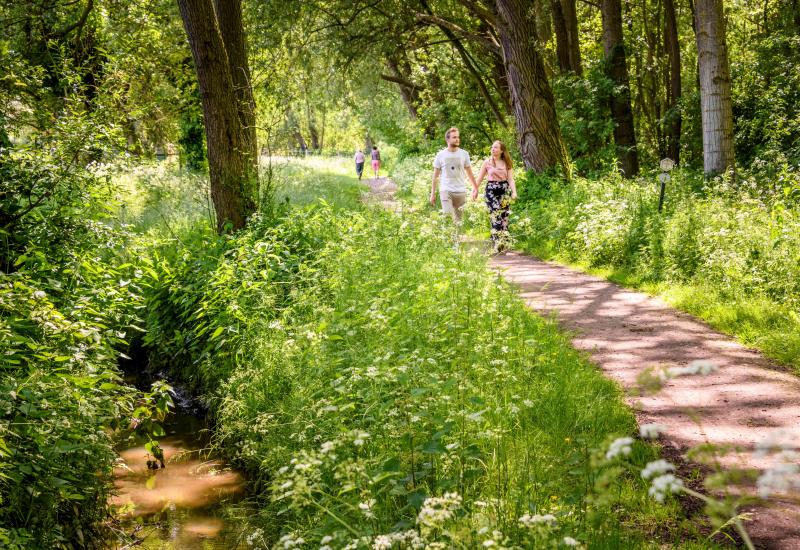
point(193, 503)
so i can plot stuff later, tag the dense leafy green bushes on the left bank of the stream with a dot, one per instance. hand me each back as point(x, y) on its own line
point(70, 291)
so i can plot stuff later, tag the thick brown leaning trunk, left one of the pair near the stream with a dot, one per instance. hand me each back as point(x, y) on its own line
point(229, 163)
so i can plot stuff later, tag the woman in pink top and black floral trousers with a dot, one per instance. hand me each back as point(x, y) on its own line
point(500, 191)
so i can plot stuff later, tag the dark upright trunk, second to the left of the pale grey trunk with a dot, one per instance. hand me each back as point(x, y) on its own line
point(617, 71)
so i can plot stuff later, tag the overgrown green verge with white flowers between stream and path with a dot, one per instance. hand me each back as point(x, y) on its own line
point(382, 388)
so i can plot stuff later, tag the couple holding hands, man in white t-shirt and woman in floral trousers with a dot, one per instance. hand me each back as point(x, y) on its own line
point(453, 165)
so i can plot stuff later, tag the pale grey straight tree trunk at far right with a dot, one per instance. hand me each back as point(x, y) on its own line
point(715, 88)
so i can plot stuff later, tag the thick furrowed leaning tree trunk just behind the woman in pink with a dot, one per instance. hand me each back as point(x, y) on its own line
point(538, 133)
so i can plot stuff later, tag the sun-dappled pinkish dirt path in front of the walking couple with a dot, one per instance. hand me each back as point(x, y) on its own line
point(747, 401)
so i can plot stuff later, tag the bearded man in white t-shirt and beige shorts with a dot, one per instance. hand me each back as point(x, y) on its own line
point(453, 165)
